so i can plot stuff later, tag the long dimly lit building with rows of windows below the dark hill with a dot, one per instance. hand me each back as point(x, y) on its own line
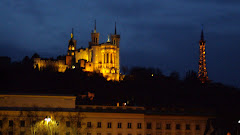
point(41, 114)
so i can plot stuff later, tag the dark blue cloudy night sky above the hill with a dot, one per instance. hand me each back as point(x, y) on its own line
point(161, 34)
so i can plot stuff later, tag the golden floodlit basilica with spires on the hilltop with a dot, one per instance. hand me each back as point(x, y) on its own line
point(100, 58)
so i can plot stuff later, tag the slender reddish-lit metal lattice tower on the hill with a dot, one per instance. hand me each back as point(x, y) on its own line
point(202, 70)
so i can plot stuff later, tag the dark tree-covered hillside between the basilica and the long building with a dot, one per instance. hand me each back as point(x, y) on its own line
point(140, 86)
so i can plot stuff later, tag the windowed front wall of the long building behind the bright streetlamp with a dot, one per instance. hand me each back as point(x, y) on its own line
point(102, 120)
